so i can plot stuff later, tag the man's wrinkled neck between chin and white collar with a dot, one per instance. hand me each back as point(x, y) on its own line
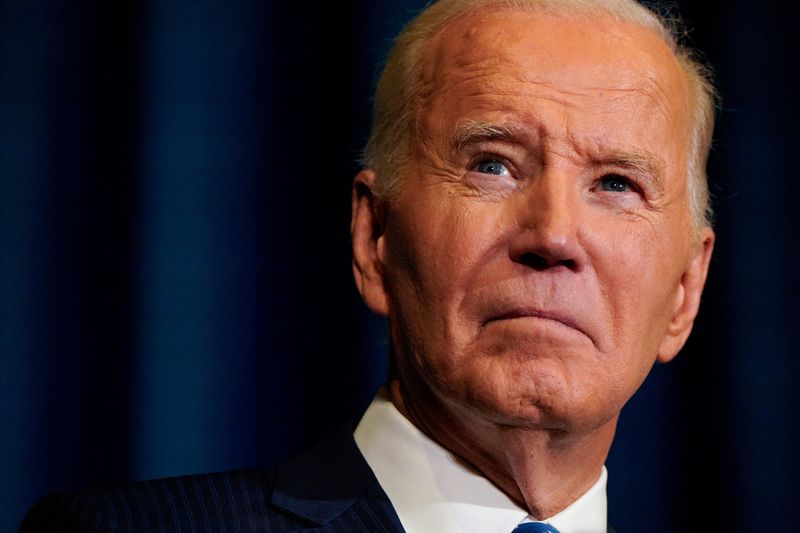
point(543, 470)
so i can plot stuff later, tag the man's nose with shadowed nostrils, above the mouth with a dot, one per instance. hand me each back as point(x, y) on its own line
point(547, 220)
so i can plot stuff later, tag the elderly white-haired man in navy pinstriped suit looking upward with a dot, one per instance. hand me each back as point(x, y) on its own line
point(531, 219)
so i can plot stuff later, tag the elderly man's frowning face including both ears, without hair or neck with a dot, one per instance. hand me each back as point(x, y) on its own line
point(540, 257)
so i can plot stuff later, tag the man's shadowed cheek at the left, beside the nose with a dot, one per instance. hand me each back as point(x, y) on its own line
point(435, 253)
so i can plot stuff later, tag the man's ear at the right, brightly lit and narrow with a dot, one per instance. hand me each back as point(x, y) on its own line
point(687, 301)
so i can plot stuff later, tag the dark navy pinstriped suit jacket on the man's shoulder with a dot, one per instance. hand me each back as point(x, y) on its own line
point(331, 488)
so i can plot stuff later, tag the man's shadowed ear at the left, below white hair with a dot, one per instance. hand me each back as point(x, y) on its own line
point(366, 230)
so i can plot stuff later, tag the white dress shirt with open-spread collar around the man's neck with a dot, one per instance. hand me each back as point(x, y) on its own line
point(433, 491)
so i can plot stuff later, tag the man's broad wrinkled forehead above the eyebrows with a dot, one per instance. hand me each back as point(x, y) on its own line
point(591, 75)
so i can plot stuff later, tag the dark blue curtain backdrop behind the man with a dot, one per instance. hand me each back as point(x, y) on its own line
point(175, 287)
